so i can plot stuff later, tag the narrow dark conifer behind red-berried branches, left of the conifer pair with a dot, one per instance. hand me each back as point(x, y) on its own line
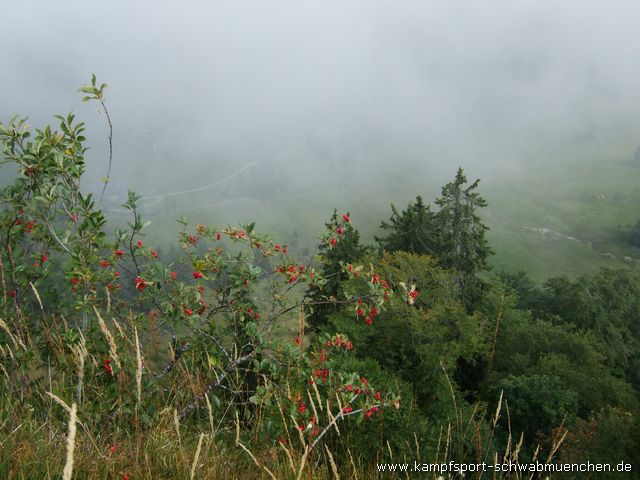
point(346, 249)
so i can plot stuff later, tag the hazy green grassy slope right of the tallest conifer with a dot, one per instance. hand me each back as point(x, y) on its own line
point(593, 201)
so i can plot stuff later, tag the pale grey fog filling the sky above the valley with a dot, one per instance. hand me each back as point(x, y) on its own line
point(315, 96)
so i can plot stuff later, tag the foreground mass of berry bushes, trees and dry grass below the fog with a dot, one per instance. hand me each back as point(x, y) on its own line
point(226, 356)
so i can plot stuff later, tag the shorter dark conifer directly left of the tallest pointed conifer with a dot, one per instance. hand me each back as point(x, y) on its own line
point(412, 230)
